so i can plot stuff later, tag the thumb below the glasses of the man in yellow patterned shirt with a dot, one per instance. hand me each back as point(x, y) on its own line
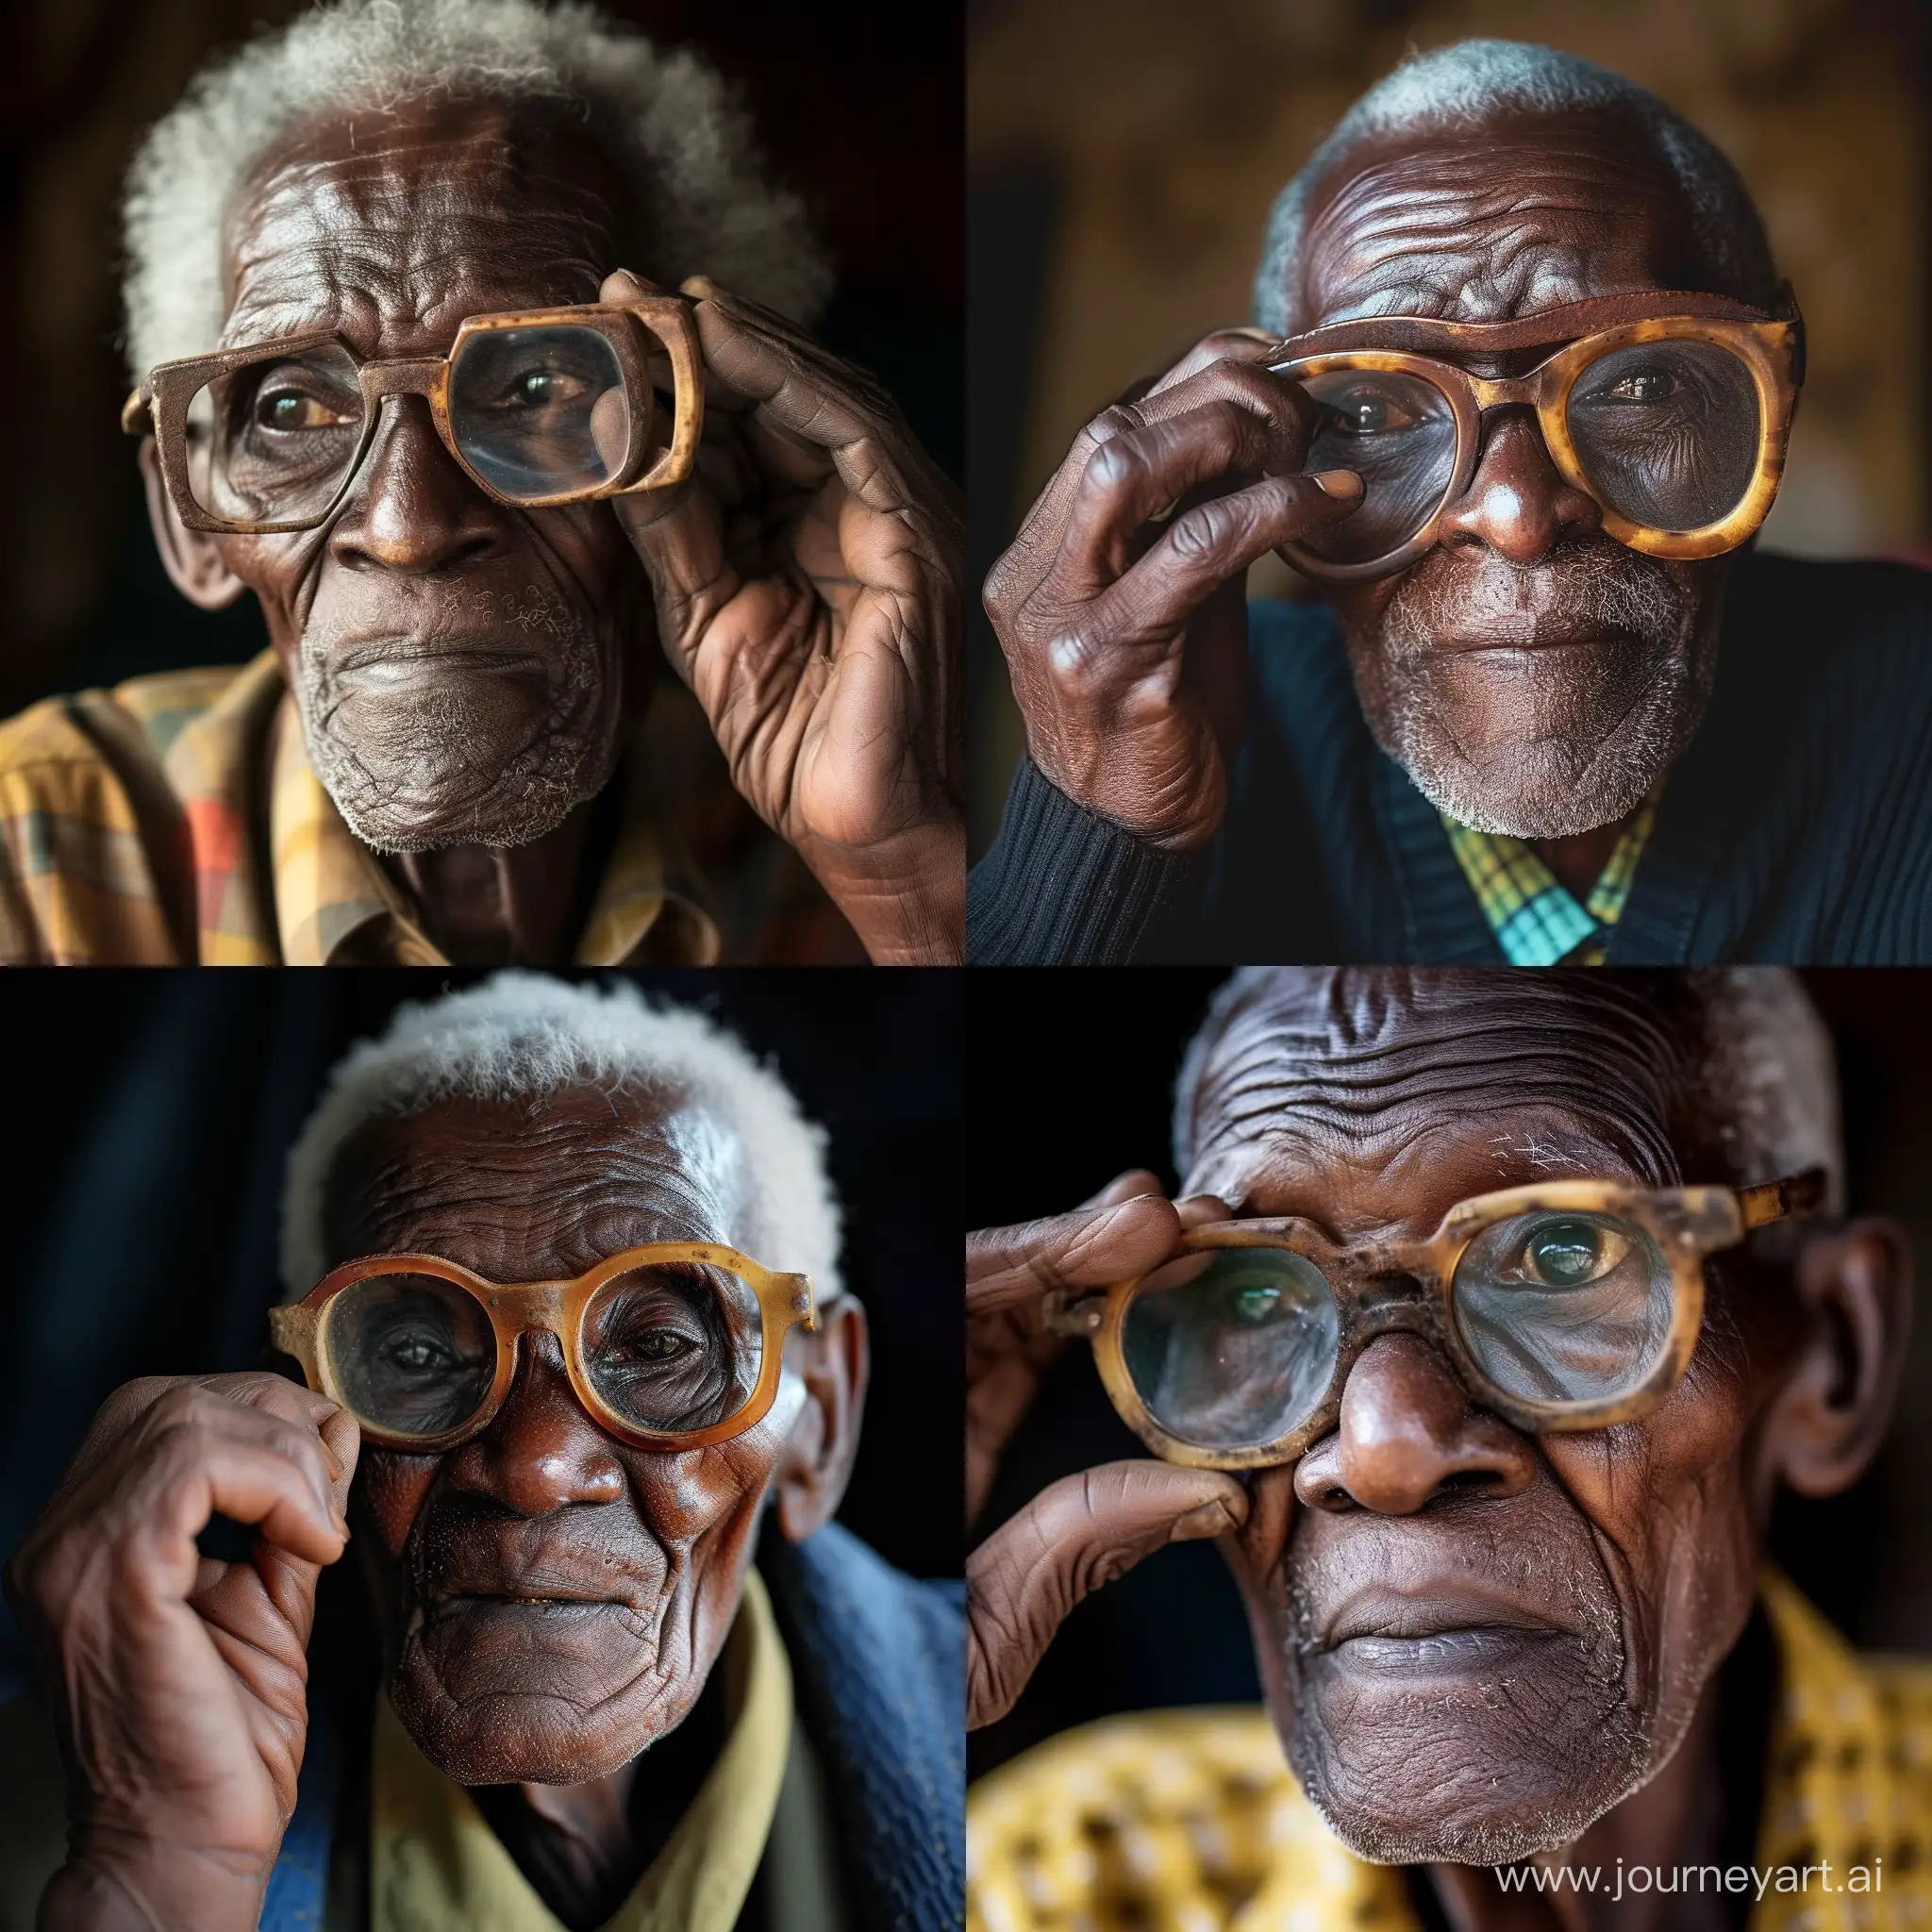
point(1075, 1537)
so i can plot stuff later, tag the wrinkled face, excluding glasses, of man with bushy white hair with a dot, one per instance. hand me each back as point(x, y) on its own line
point(461, 668)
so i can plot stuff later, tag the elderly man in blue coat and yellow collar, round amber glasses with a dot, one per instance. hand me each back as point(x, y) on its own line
point(575, 1350)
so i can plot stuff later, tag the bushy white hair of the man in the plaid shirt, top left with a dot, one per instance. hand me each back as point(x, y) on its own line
point(666, 119)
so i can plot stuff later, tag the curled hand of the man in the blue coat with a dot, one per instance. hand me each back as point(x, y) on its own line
point(179, 1682)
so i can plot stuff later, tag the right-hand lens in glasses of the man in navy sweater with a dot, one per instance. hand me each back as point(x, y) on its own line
point(1668, 434)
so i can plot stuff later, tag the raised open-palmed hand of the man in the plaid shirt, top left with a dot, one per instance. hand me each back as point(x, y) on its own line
point(810, 584)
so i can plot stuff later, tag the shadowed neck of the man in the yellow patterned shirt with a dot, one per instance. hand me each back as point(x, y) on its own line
point(1699, 1811)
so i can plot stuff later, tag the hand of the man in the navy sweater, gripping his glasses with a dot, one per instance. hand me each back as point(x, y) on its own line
point(1127, 642)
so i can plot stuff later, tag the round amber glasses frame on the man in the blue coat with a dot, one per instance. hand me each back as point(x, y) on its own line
point(785, 1301)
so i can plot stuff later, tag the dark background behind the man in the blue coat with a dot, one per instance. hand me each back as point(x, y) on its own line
point(154, 1110)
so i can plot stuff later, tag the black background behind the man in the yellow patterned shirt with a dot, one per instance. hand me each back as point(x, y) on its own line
point(1048, 1131)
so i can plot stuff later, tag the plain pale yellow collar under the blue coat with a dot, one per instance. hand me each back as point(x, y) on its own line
point(438, 1867)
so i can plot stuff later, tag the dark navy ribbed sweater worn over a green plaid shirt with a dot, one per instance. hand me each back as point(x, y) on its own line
point(1796, 830)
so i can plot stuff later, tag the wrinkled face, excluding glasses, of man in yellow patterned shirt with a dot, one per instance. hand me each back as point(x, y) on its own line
point(1477, 1641)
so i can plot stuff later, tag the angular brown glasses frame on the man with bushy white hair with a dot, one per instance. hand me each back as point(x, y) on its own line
point(169, 389)
